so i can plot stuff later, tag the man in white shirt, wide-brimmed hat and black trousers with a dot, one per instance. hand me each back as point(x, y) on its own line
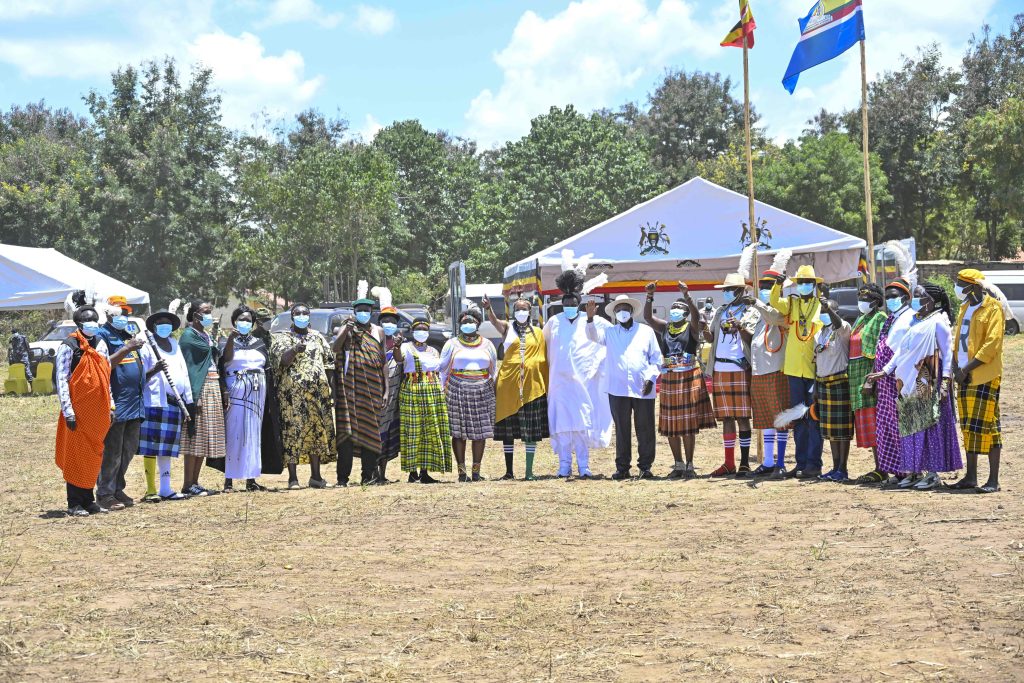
point(632, 366)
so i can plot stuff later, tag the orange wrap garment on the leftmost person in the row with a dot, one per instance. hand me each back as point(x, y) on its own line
point(80, 453)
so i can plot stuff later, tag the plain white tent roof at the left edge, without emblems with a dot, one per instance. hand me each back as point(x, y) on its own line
point(32, 278)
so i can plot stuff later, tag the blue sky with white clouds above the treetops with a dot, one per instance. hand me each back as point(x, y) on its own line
point(480, 69)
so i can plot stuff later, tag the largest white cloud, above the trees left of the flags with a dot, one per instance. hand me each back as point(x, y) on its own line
point(587, 56)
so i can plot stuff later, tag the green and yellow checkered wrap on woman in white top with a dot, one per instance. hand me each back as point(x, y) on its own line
point(426, 439)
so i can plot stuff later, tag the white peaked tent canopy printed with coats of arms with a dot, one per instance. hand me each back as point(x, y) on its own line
point(691, 233)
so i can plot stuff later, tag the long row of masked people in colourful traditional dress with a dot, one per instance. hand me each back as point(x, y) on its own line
point(261, 403)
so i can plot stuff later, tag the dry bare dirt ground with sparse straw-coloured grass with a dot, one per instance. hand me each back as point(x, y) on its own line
point(513, 581)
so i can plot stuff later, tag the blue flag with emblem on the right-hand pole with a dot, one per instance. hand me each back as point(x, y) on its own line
point(830, 29)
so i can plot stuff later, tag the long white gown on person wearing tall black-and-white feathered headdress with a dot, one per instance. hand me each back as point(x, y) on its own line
point(578, 389)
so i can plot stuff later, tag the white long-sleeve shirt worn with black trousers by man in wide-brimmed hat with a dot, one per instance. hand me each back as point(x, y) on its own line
point(634, 358)
